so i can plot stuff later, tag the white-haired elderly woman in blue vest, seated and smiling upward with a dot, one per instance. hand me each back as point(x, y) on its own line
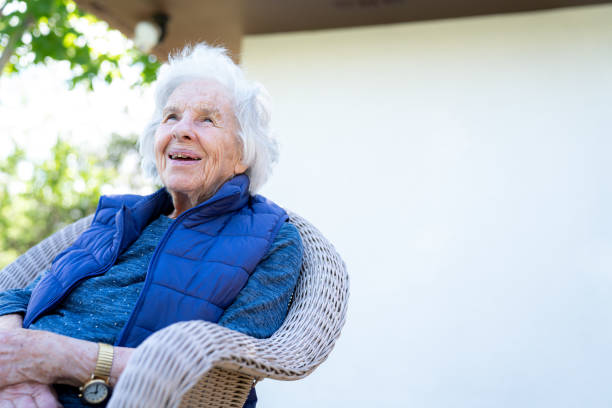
point(202, 247)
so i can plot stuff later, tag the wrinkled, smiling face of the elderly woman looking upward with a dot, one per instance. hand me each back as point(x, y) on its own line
point(196, 144)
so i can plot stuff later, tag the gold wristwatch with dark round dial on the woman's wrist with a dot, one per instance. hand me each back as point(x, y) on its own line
point(97, 389)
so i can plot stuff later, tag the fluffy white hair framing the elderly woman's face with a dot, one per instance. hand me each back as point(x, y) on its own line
point(250, 102)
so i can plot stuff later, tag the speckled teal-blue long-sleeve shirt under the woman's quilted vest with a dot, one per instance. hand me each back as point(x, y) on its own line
point(98, 308)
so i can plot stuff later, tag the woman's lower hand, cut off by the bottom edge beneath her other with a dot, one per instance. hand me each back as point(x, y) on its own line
point(29, 395)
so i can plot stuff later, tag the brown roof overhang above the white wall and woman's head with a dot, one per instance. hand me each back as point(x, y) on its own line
point(226, 21)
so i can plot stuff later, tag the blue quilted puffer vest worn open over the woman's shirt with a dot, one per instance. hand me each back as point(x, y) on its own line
point(199, 266)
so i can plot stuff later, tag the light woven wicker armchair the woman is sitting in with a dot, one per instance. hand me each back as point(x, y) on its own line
point(201, 364)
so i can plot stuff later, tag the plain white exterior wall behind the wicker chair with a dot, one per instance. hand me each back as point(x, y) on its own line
point(462, 169)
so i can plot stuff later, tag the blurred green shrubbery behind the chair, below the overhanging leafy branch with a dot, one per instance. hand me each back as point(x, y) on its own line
point(39, 197)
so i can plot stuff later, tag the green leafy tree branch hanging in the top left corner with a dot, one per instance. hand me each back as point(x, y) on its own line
point(38, 31)
